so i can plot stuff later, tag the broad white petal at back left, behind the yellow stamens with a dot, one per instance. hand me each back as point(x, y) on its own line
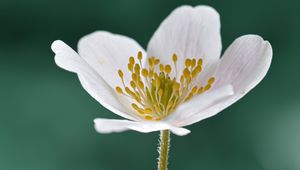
point(107, 53)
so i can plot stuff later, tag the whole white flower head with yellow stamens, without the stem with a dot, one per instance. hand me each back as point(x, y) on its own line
point(179, 81)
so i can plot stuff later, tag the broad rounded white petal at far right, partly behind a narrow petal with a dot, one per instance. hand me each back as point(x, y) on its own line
point(244, 65)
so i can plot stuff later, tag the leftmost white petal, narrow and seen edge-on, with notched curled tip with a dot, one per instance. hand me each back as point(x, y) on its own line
point(68, 59)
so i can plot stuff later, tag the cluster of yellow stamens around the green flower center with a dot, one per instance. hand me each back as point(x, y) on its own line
point(155, 95)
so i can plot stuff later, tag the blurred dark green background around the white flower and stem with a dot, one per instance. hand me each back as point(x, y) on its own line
point(46, 118)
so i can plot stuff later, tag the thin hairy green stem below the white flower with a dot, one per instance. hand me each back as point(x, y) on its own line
point(164, 150)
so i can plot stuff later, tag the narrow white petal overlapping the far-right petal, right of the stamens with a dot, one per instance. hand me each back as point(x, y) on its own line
point(181, 116)
